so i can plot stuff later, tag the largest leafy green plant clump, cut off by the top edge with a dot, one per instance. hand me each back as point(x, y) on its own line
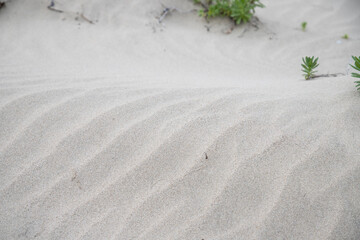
point(237, 10)
